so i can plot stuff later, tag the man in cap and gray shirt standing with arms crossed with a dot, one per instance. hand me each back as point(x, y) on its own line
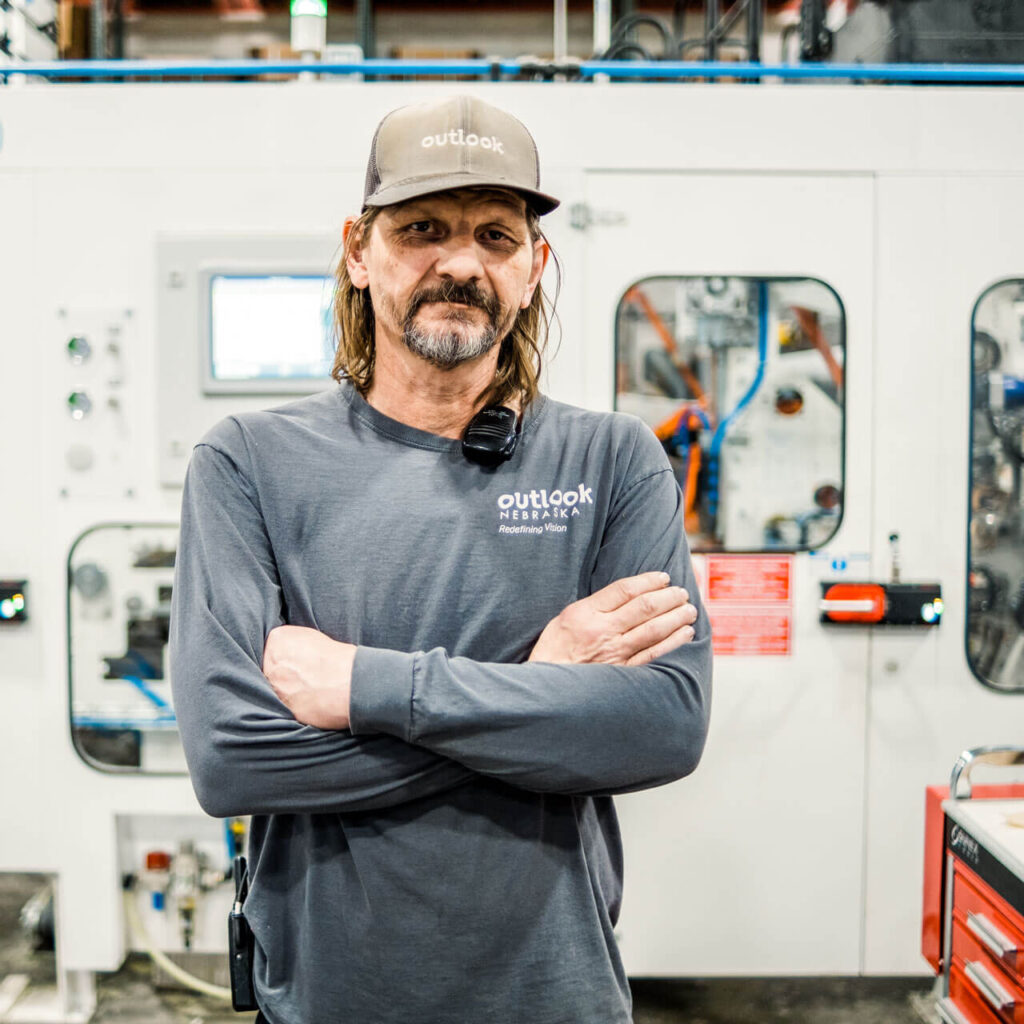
point(422, 675)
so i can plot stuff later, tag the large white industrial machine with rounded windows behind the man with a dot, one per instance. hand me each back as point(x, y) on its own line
point(822, 321)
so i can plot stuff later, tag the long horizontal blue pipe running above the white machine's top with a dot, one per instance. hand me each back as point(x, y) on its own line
point(620, 70)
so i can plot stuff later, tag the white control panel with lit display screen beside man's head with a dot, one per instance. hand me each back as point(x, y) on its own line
point(224, 303)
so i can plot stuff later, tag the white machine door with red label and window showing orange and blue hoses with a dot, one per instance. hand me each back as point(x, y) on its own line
point(755, 865)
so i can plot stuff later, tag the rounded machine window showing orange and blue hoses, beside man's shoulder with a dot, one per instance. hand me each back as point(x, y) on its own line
point(743, 381)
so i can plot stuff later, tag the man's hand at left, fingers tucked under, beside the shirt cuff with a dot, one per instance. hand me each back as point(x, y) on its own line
point(312, 674)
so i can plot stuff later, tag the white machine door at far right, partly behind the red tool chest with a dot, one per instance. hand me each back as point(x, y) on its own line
point(949, 480)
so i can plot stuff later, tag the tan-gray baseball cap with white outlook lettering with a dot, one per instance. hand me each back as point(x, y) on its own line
point(458, 143)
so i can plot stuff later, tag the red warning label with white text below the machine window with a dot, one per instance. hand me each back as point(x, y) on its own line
point(750, 603)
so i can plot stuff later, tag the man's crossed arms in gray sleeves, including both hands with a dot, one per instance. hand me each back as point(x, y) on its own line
point(422, 723)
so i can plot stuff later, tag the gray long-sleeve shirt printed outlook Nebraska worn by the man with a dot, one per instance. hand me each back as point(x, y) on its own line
point(454, 859)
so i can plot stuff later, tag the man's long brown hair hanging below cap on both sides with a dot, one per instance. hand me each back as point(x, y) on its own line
point(521, 357)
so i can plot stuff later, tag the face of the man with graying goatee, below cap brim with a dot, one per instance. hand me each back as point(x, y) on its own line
point(449, 273)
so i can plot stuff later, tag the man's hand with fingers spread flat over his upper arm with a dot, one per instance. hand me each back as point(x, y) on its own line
point(630, 622)
